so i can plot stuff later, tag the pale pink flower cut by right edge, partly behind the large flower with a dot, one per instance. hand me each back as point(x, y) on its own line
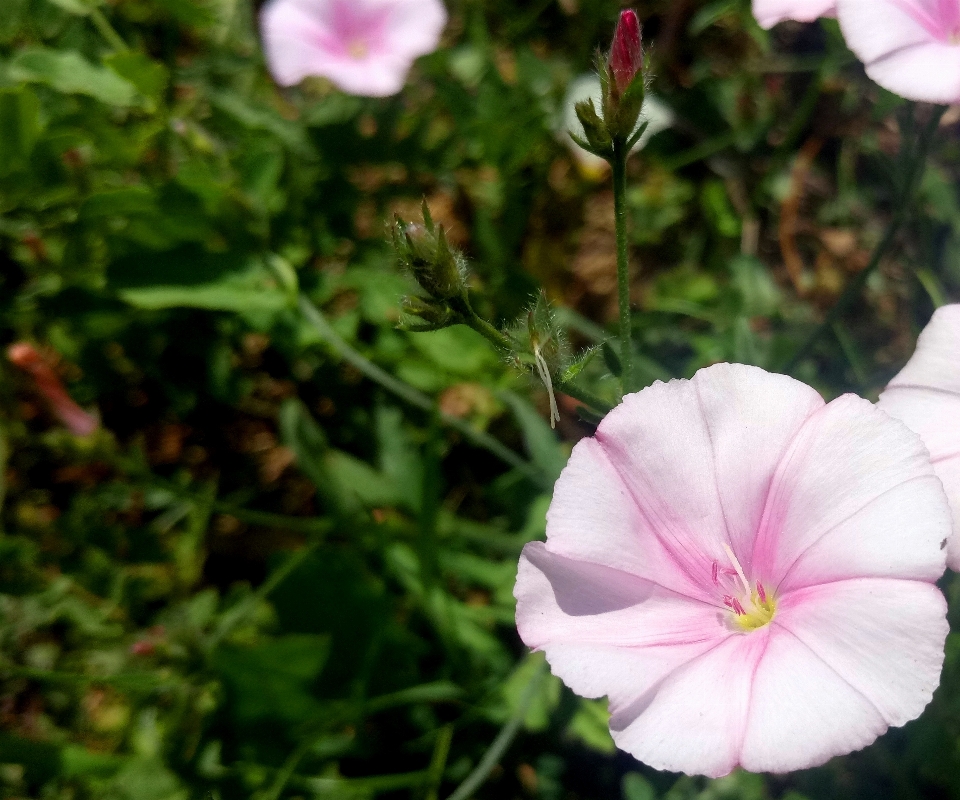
point(926, 396)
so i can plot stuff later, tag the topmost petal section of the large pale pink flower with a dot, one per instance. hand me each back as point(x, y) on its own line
point(697, 456)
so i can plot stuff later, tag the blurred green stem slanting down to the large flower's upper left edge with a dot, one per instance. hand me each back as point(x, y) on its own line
point(415, 397)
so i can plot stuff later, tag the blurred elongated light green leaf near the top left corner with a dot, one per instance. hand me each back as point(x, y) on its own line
point(70, 73)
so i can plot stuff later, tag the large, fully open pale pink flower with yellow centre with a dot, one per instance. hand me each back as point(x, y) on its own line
point(745, 571)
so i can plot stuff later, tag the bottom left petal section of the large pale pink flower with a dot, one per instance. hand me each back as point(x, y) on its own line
point(693, 720)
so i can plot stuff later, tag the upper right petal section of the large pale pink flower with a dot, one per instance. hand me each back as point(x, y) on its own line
point(847, 457)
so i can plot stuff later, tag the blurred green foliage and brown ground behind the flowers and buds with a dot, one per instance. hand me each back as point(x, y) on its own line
point(275, 572)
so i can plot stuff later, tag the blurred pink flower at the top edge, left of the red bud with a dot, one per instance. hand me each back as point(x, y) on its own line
point(366, 47)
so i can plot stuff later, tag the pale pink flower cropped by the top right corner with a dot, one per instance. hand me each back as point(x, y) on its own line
point(911, 47)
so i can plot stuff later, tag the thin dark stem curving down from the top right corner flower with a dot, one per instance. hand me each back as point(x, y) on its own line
point(915, 163)
